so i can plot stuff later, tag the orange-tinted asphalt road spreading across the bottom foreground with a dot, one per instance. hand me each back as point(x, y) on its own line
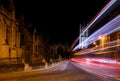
point(64, 71)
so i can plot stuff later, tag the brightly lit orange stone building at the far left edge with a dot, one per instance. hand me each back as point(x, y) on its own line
point(10, 50)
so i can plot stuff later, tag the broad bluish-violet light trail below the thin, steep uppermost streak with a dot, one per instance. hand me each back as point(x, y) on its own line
point(111, 27)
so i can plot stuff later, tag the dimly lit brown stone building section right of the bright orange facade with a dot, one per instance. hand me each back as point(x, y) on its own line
point(31, 44)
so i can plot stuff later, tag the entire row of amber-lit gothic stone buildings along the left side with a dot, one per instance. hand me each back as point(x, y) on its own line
point(19, 47)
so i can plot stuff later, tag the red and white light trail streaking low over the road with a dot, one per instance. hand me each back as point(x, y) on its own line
point(106, 63)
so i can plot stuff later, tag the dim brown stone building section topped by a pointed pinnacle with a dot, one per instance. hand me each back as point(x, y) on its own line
point(38, 48)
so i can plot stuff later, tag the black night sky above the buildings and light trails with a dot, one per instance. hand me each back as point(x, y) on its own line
point(58, 20)
